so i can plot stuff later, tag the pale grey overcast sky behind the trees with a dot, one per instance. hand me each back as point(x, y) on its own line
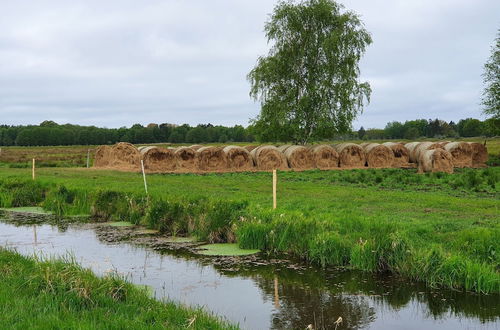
point(116, 63)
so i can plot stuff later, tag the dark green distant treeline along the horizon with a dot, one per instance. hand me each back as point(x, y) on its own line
point(49, 133)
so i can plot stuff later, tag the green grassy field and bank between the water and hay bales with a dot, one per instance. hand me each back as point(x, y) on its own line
point(442, 229)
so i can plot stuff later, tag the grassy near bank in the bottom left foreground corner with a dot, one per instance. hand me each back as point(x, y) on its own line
point(61, 295)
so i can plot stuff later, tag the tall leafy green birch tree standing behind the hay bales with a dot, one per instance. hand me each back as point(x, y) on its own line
point(308, 84)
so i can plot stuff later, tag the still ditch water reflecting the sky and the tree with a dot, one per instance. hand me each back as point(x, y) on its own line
point(267, 296)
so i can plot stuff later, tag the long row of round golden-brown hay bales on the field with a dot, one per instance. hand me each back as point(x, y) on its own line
point(429, 156)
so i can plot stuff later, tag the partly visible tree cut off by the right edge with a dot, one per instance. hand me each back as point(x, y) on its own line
point(491, 78)
